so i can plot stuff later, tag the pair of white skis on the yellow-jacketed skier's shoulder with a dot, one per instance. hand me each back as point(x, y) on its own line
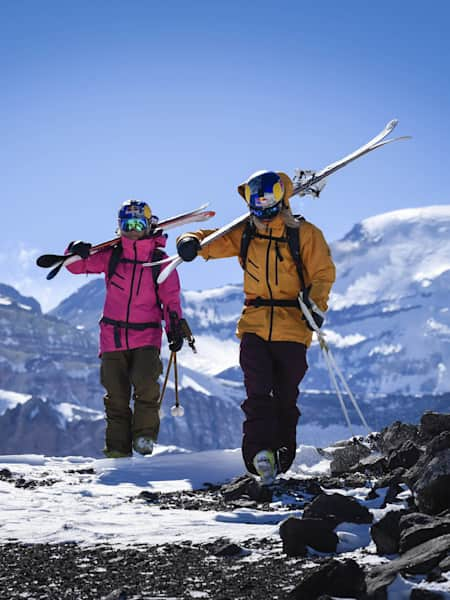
point(376, 142)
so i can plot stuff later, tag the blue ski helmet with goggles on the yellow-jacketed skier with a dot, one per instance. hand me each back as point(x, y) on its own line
point(264, 192)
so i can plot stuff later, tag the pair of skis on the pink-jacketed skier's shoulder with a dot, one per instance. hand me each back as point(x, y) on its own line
point(58, 260)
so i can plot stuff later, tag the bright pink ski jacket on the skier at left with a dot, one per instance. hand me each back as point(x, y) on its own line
point(133, 309)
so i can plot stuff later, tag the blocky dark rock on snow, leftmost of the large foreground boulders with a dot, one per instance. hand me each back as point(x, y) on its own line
point(299, 533)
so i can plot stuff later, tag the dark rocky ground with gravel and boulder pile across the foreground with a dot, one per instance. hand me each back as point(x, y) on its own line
point(406, 467)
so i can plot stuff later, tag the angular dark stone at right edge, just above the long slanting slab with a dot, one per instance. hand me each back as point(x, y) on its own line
point(417, 528)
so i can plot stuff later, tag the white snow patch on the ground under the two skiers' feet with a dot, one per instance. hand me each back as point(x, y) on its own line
point(96, 508)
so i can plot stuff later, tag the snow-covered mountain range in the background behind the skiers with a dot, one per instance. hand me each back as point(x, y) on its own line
point(388, 327)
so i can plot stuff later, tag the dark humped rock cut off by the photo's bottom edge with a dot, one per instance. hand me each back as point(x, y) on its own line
point(337, 578)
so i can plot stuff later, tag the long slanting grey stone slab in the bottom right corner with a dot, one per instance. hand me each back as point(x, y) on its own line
point(417, 561)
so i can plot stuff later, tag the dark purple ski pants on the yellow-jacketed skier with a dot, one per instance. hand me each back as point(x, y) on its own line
point(272, 374)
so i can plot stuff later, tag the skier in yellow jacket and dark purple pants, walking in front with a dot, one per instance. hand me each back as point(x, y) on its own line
point(274, 335)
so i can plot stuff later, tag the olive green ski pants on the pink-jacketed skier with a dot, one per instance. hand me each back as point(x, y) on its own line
point(123, 372)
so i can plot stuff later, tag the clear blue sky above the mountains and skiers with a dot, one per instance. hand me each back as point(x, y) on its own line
point(176, 103)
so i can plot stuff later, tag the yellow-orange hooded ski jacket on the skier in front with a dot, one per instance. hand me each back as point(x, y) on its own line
point(271, 274)
